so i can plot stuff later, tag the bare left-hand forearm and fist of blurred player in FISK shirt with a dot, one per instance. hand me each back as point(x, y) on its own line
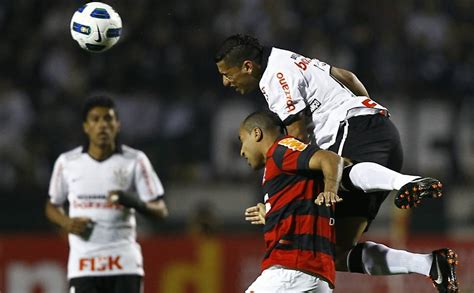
point(80, 226)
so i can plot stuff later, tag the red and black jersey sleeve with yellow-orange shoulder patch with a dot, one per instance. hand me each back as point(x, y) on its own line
point(293, 156)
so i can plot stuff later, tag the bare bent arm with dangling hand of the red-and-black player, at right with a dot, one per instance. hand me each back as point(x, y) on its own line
point(331, 165)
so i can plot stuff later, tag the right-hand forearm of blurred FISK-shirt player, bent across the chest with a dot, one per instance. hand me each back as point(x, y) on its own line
point(156, 208)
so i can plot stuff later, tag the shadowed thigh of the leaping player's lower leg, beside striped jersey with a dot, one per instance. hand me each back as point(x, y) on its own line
point(348, 232)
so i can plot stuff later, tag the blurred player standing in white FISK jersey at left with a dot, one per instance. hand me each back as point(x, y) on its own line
point(105, 183)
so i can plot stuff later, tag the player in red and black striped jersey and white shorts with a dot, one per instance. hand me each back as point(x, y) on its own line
point(299, 235)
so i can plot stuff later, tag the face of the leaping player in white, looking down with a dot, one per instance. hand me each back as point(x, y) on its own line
point(242, 78)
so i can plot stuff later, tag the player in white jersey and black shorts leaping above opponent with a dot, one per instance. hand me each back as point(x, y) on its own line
point(307, 93)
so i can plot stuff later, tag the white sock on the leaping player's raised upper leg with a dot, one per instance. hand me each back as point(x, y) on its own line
point(372, 177)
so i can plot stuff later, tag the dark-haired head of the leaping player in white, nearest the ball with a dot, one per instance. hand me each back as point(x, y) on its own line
point(239, 60)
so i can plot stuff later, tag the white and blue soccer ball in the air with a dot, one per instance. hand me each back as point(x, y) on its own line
point(96, 27)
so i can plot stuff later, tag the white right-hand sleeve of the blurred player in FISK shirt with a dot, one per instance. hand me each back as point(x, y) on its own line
point(147, 183)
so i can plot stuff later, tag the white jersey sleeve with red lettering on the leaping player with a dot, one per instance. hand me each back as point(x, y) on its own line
point(283, 91)
